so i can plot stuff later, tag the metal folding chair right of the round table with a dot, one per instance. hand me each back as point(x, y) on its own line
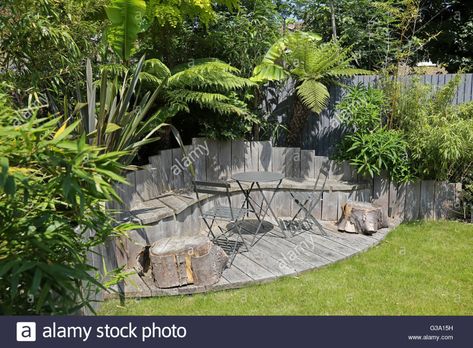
point(306, 203)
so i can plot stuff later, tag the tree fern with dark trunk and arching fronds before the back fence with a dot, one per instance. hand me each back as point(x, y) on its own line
point(313, 65)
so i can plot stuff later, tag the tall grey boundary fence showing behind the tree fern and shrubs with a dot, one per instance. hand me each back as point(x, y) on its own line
point(323, 132)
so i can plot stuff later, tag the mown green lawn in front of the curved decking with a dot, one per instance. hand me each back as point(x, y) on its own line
point(422, 268)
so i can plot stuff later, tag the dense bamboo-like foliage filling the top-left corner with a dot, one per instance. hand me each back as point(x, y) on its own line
point(44, 44)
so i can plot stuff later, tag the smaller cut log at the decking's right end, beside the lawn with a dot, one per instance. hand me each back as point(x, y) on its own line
point(360, 217)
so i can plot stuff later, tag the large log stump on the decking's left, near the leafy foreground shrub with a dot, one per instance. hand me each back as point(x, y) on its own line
point(184, 261)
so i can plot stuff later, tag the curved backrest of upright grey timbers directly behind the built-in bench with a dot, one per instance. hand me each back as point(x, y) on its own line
point(217, 160)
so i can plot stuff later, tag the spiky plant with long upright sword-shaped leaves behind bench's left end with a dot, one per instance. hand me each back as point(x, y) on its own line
point(121, 120)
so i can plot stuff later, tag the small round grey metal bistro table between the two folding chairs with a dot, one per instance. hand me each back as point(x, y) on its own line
point(255, 179)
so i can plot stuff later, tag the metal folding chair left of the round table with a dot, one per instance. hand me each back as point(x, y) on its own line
point(226, 213)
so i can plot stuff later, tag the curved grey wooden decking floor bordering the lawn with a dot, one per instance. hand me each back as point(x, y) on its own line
point(275, 255)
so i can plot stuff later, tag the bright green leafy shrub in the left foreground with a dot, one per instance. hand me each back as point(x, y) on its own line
point(53, 189)
